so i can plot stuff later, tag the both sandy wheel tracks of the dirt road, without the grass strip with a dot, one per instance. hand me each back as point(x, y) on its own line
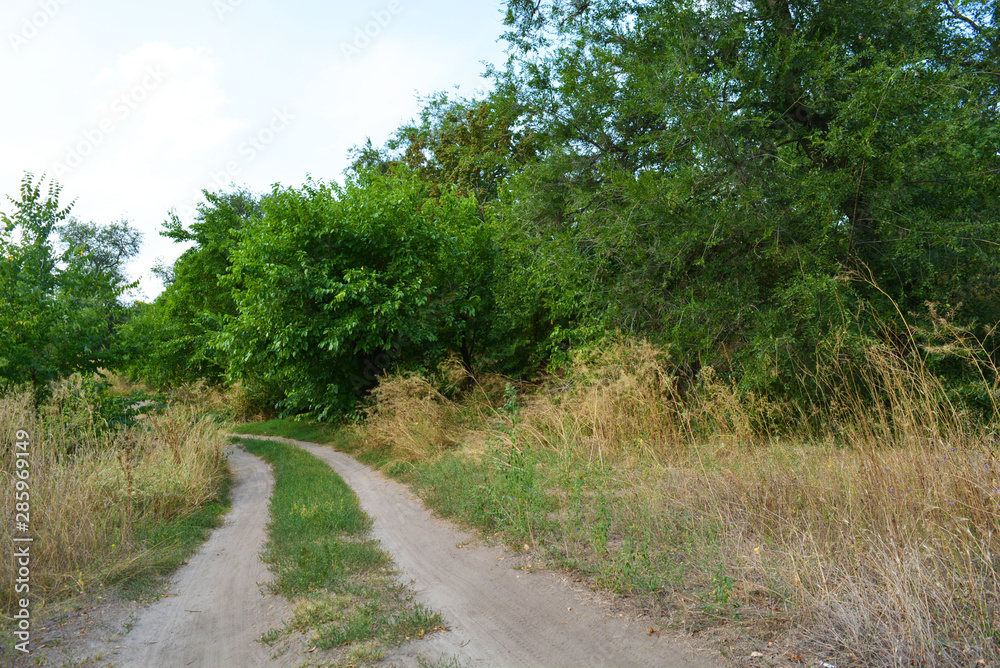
point(497, 615)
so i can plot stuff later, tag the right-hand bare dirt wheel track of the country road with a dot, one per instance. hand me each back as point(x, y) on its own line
point(497, 616)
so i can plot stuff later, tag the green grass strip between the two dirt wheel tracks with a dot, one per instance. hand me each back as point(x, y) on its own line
point(340, 582)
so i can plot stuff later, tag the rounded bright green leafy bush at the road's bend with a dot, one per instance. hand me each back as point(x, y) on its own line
point(334, 284)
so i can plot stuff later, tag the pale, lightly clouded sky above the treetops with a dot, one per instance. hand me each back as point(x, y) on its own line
point(135, 107)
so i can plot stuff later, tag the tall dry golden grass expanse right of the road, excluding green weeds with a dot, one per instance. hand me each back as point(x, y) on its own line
point(873, 525)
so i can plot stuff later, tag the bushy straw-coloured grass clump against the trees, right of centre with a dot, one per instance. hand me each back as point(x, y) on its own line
point(626, 399)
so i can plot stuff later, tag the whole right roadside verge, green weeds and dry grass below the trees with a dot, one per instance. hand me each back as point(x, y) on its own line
point(859, 534)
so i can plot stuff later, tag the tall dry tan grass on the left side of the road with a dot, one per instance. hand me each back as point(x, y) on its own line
point(91, 488)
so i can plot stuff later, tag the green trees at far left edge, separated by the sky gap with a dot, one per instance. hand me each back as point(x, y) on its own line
point(60, 310)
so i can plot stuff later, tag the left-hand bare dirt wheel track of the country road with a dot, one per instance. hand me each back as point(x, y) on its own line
point(214, 610)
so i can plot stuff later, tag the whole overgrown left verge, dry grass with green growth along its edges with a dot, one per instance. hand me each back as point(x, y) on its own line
point(117, 497)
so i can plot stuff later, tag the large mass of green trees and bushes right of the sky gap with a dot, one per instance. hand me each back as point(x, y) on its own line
point(760, 187)
